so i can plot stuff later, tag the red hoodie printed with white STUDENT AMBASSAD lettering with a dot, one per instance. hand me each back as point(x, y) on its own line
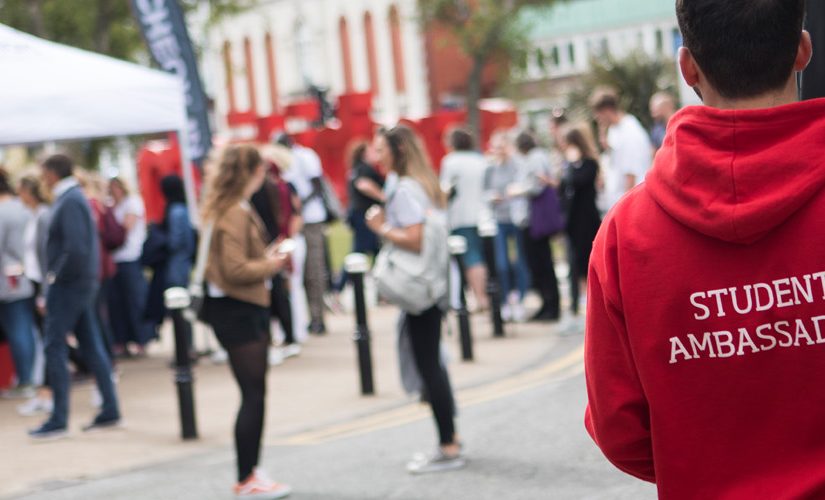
point(705, 341)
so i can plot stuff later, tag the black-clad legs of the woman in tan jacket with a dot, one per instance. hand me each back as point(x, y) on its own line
point(249, 365)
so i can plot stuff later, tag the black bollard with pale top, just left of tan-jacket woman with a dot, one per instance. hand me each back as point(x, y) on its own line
point(177, 300)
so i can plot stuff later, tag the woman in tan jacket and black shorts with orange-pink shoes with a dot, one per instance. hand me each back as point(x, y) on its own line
point(238, 268)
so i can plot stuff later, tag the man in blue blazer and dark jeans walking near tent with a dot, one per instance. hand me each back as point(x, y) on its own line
point(72, 273)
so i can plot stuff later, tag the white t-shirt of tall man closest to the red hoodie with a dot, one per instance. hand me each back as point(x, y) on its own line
point(630, 153)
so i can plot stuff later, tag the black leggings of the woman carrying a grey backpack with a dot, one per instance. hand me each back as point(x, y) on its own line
point(425, 337)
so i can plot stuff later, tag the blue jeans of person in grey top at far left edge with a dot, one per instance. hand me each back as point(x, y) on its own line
point(17, 320)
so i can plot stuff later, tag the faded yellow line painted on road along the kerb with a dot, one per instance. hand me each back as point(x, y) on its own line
point(564, 368)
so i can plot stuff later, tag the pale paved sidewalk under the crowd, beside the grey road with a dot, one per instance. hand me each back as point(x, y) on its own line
point(316, 391)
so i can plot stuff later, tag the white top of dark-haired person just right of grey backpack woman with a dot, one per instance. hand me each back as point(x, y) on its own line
point(465, 170)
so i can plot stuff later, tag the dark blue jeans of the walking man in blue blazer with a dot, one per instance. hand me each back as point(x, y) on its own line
point(71, 309)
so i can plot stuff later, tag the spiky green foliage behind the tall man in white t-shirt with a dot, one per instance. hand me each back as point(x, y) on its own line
point(637, 77)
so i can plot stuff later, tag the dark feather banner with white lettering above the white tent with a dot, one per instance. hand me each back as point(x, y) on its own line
point(164, 29)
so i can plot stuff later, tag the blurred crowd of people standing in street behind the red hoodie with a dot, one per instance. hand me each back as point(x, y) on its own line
point(88, 238)
